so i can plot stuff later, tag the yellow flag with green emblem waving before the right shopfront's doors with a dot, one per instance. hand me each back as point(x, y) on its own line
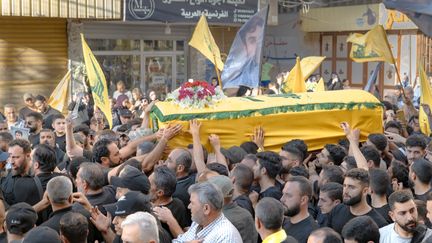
point(371, 47)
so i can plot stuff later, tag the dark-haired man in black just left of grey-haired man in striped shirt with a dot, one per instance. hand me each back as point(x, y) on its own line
point(162, 186)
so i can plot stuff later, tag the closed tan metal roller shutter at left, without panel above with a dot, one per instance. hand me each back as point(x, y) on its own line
point(33, 56)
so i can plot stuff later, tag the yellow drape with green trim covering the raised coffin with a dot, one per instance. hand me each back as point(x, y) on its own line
point(314, 117)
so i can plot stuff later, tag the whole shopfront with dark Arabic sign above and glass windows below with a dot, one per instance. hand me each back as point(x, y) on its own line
point(149, 49)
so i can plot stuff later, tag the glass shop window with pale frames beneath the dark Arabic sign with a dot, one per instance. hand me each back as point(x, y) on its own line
point(148, 57)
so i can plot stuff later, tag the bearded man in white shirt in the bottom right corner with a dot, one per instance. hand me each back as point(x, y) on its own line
point(405, 227)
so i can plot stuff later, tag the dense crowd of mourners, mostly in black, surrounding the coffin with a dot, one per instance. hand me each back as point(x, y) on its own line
point(75, 180)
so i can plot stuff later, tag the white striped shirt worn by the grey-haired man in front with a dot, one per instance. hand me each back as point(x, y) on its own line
point(219, 231)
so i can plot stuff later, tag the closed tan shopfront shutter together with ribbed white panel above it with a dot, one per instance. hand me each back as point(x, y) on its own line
point(34, 42)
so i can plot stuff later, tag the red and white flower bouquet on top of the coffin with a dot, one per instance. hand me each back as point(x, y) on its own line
point(196, 95)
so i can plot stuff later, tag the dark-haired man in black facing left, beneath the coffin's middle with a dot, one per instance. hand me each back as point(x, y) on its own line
point(266, 169)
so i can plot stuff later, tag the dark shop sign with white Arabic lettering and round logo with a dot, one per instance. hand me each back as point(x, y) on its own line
point(184, 11)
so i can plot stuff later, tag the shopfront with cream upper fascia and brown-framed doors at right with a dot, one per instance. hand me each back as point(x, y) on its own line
point(403, 37)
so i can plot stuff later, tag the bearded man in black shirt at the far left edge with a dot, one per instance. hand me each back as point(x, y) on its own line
point(19, 185)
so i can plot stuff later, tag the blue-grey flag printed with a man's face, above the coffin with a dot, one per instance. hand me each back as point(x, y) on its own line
point(243, 64)
